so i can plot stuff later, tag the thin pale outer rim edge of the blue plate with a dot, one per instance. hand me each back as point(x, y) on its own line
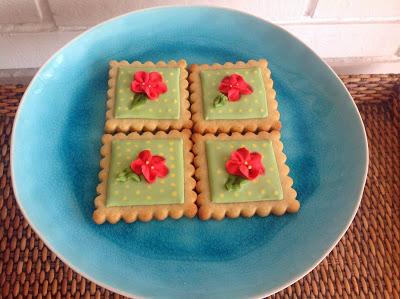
point(162, 7)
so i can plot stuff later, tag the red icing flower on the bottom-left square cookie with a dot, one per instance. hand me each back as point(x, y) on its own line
point(150, 166)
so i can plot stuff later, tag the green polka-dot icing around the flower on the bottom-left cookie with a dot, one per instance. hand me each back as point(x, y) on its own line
point(168, 190)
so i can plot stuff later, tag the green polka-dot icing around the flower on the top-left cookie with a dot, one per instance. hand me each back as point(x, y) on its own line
point(167, 106)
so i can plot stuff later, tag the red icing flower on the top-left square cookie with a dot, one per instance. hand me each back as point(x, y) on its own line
point(149, 83)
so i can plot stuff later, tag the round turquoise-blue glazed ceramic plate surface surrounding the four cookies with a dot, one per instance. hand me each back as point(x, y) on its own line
point(55, 161)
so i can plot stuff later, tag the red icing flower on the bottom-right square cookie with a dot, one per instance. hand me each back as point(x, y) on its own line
point(245, 164)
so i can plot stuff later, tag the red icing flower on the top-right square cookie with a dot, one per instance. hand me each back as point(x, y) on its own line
point(234, 86)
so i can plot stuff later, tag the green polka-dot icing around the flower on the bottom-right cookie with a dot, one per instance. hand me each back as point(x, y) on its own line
point(265, 187)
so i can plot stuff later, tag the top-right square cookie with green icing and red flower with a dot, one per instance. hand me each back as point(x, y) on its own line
point(233, 97)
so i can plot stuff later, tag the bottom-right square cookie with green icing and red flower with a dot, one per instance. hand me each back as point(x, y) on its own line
point(242, 175)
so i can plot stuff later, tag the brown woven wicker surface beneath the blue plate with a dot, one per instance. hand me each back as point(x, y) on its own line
point(365, 263)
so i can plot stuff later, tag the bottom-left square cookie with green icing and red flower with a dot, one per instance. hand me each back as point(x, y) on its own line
point(145, 176)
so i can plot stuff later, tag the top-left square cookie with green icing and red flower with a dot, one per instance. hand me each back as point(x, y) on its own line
point(147, 96)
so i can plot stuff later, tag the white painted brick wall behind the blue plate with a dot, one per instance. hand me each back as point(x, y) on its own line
point(354, 36)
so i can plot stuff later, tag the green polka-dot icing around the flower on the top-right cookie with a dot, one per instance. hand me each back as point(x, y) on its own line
point(249, 106)
